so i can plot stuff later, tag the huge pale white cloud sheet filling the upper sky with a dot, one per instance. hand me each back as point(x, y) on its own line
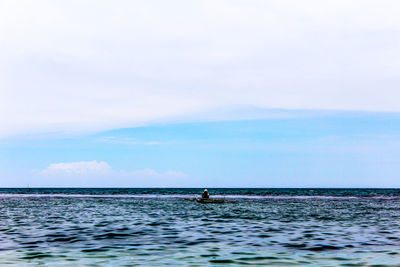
point(93, 65)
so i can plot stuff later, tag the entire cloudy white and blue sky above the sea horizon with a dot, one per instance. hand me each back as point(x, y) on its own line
point(199, 93)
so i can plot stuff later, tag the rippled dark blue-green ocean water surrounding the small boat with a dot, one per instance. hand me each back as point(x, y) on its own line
point(153, 227)
